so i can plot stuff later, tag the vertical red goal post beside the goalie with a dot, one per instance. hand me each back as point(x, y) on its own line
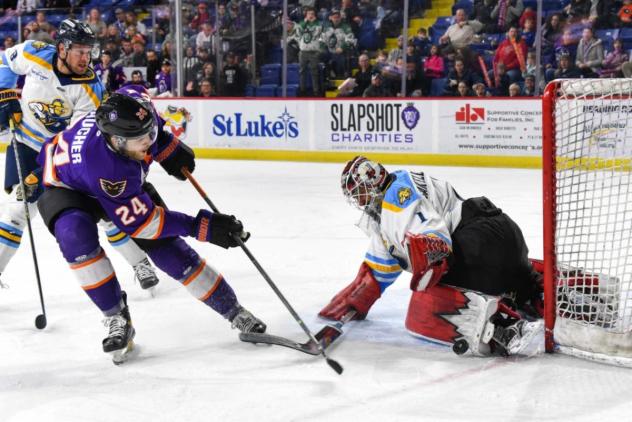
point(549, 221)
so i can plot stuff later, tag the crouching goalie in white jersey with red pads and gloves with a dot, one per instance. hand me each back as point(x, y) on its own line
point(473, 284)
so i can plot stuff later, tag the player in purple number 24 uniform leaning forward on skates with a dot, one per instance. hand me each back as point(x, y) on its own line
point(96, 170)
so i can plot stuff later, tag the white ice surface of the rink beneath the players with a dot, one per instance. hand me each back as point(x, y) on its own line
point(192, 367)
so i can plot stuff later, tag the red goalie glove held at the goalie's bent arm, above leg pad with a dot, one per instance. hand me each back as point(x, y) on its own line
point(428, 258)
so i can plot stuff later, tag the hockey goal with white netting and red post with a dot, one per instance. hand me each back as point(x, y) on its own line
point(587, 186)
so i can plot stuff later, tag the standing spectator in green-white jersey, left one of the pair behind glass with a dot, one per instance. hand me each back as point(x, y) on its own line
point(310, 42)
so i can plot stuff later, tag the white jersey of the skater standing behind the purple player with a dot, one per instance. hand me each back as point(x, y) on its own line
point(50, 101)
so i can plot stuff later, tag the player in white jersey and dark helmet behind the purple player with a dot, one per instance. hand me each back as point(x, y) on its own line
point(60, 88)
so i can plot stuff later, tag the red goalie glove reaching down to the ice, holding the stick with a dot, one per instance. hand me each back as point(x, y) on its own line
point(360, 295)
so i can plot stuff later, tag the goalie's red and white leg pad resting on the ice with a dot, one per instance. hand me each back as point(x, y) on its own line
point(447, 314)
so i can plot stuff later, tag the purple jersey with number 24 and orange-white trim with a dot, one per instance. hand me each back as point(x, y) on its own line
point(81, 159)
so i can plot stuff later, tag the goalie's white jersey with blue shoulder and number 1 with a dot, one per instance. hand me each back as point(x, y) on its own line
point(413, 203)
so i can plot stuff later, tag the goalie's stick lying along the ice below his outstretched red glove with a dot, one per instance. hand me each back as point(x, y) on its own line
point(326, 337)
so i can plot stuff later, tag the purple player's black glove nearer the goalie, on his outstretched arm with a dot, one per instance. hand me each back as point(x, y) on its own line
point(219, 229)
